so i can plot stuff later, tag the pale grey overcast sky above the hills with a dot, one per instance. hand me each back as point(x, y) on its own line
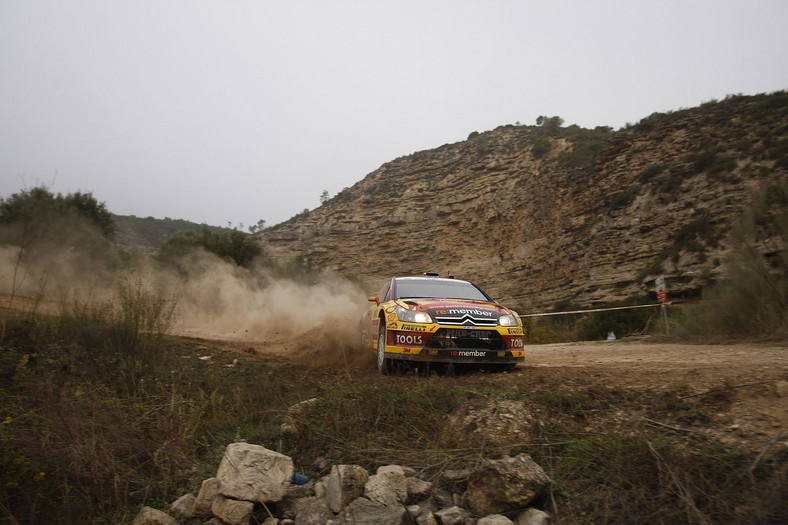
point(235, 111)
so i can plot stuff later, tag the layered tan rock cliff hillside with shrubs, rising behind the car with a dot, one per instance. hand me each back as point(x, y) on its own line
point(543, 217)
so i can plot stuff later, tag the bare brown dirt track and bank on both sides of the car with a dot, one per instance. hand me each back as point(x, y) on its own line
point(752, 378)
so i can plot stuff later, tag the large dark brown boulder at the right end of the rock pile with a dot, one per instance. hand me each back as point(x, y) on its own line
point(505, 485)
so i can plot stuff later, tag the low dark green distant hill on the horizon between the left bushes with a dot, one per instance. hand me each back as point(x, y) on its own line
point(147, 234)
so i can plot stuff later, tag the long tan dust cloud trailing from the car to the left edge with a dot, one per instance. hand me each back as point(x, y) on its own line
point(315, 322)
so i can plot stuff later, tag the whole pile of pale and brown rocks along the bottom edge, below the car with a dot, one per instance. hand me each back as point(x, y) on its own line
point(256, 485)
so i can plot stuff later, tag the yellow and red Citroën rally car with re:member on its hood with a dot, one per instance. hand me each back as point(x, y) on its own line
point(442, 321)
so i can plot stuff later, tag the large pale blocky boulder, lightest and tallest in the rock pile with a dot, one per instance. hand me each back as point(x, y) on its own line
point(254, 473)
